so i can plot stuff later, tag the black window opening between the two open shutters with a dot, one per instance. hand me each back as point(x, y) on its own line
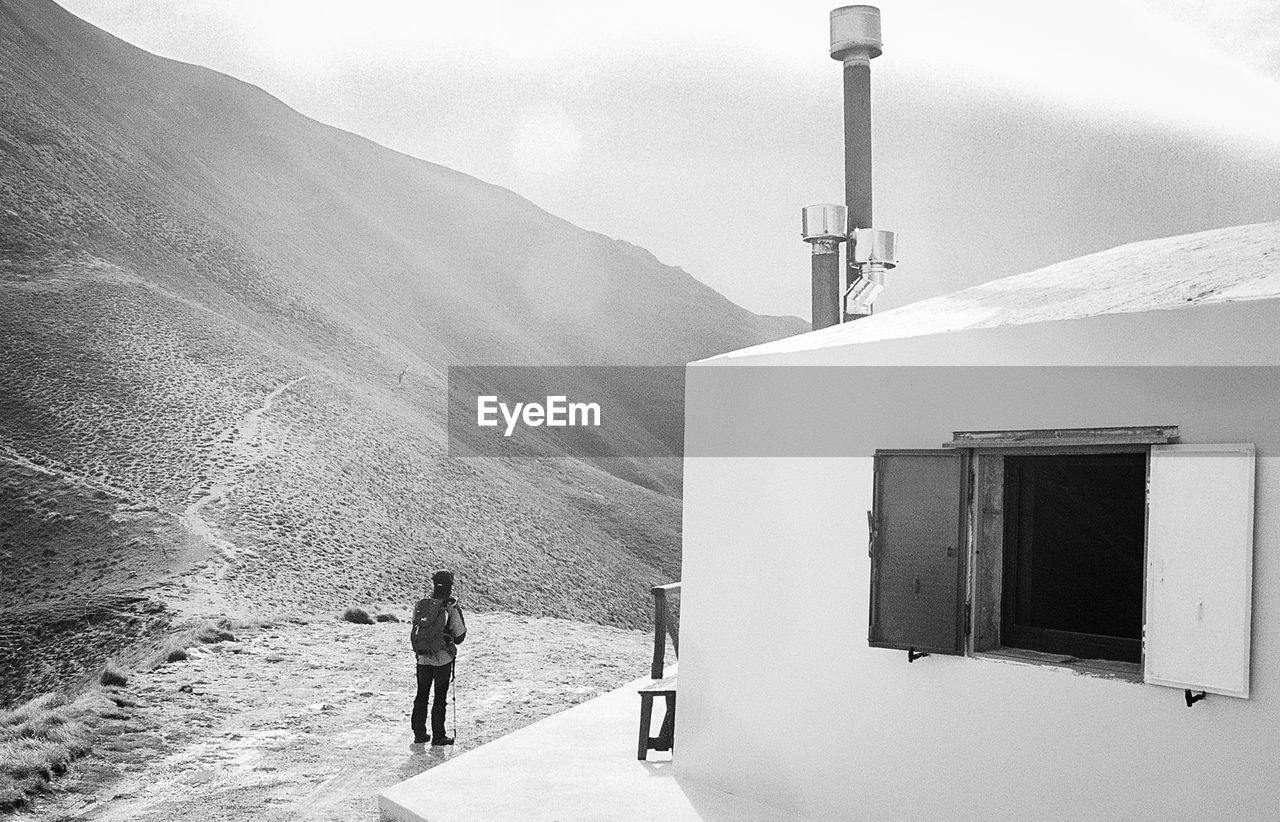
point(1075, 533)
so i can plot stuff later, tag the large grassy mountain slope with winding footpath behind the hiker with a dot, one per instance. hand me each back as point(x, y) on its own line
point(225, 331)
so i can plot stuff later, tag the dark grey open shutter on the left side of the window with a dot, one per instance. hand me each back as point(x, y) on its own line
point(918, 551)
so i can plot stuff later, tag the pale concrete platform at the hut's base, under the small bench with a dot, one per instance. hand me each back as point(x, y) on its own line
point(577, 765)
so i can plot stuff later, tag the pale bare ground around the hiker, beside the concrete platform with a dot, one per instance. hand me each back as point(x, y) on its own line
point(312, 721)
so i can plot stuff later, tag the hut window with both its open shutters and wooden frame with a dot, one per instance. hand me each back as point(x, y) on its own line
point(1105, 549)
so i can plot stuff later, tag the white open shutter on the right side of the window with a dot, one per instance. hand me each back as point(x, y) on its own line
point(1200, 568)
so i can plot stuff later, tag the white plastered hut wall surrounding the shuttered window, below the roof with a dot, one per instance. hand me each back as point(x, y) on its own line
point(783, 701)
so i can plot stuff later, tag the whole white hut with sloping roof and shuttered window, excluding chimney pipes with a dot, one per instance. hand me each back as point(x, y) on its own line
point(1068, 606)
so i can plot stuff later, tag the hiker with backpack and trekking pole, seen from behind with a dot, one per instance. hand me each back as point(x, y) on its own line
point(438, 629)
